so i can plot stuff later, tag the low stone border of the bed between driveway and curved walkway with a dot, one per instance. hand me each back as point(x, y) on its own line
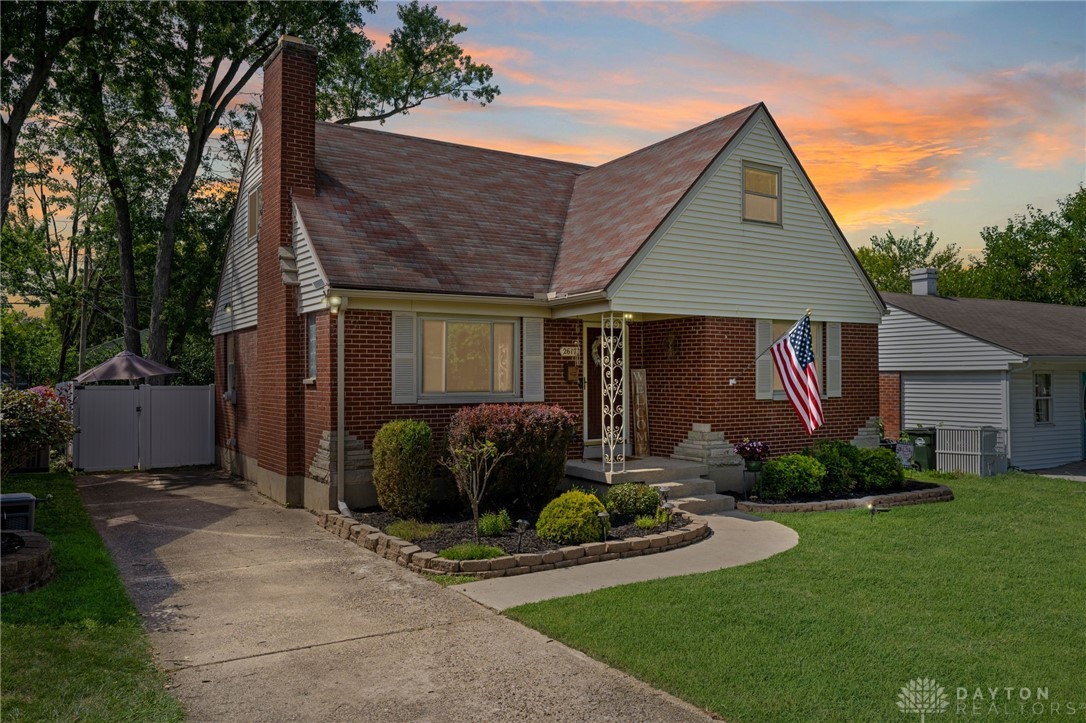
point(411, 556)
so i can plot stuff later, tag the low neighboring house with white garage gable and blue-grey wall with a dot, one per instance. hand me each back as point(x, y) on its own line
point(1014, 366)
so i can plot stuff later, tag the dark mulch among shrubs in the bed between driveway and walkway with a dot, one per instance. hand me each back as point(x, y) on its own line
point(458, 529)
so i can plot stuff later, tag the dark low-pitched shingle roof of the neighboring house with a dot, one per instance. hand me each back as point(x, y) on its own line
point(1025, 327)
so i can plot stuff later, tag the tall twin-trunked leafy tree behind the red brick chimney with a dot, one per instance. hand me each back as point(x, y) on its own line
point(172, 71)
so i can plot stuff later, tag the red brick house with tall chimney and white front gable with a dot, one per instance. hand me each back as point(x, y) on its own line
point(445, 275)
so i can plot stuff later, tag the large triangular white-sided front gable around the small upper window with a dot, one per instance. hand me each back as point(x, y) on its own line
point(706, 261)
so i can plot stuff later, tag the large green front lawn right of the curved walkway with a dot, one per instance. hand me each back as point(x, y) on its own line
point(983, 592)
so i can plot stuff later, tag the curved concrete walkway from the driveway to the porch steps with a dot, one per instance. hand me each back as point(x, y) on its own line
point(738, 539)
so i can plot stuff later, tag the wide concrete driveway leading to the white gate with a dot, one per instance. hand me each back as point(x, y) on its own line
point(261, 616)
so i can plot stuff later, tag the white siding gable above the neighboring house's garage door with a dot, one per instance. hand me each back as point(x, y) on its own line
point(908, 343)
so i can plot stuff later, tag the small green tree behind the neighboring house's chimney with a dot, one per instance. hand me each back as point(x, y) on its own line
point(890, 259)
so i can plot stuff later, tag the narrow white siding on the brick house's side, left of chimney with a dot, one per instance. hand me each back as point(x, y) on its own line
point(237, 285)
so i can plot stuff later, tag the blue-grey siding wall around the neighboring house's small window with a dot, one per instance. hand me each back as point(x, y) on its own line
point(1038, 447)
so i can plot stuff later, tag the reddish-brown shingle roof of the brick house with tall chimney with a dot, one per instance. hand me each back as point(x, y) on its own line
point(400, 213)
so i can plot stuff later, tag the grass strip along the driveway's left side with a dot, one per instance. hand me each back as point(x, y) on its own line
point(75, 650)
